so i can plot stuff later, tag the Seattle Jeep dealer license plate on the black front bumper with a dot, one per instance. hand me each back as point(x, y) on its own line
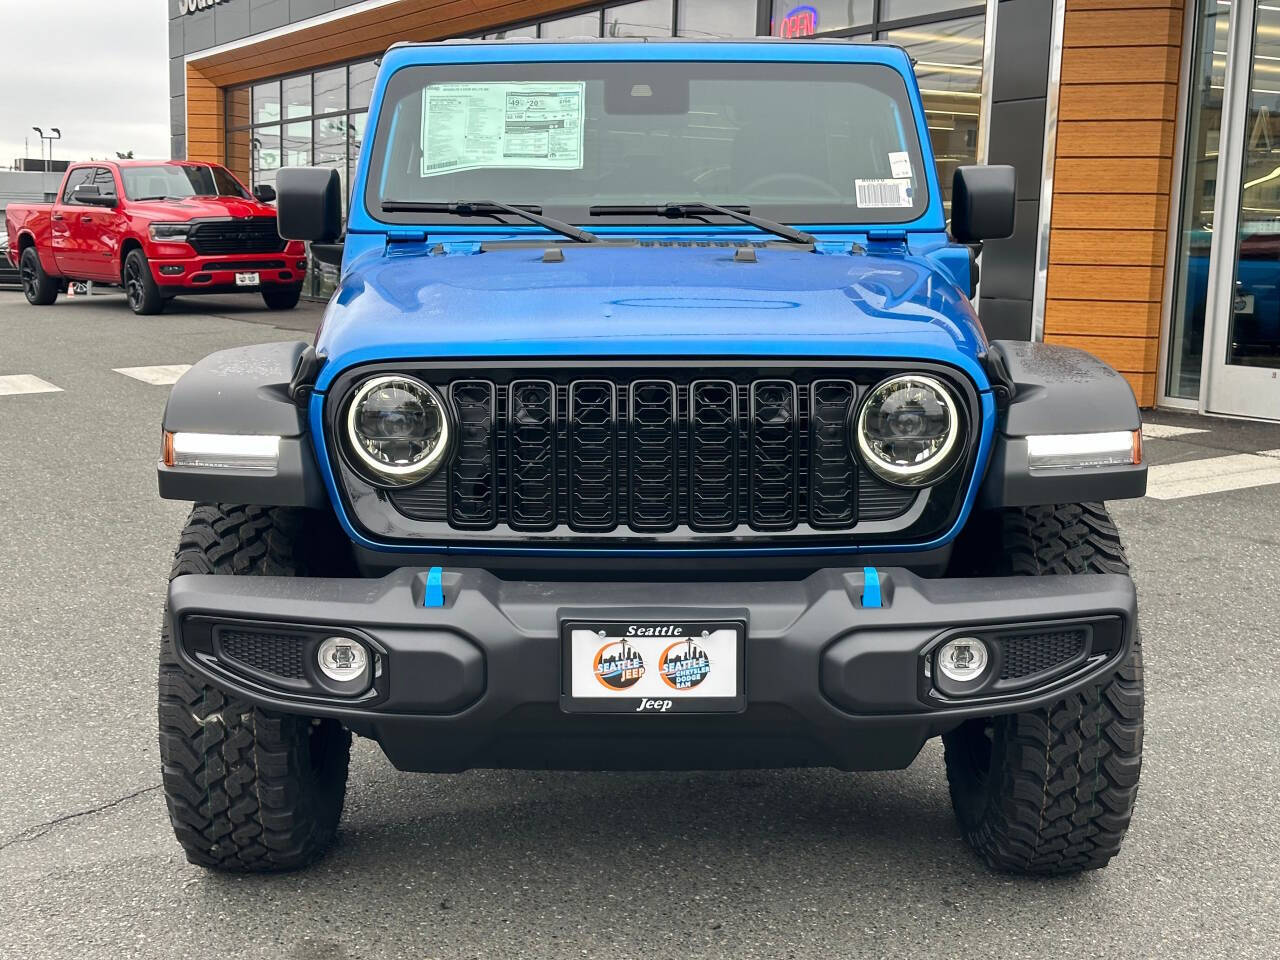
point(653, 668)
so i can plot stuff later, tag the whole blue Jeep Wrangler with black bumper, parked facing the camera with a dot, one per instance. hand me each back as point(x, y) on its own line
point(651, 427)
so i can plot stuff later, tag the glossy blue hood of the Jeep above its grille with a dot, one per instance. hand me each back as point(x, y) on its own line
point(646, 301)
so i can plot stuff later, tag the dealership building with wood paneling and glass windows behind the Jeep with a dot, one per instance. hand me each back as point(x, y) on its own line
point(1146, 135)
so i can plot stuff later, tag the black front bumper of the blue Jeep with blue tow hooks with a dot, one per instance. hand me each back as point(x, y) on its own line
point(478, 682)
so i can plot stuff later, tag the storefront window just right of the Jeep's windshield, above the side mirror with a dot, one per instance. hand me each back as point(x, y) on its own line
point(949, 67)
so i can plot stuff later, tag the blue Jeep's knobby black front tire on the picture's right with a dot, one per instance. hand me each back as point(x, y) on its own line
point(1050, 792)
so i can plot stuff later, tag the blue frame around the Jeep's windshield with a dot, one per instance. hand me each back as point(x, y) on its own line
point(487, 60)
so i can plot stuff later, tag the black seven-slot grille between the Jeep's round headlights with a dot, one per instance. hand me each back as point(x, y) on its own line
point(652, 455)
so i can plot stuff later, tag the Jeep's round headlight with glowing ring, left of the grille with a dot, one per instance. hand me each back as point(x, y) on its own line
point(399, 429)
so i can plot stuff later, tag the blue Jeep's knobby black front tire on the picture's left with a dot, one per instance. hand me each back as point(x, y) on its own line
point(249, 790)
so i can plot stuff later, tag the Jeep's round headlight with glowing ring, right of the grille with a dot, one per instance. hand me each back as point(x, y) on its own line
point(908, 431)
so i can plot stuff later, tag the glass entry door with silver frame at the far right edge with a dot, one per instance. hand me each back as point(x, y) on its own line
point(1245, 294)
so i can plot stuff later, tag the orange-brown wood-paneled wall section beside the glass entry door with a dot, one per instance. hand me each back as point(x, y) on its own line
point(1118, 104)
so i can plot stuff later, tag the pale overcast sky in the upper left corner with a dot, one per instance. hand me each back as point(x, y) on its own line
point(98, 70)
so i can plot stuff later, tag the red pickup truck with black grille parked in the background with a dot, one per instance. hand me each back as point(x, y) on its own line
point(159, 230)
